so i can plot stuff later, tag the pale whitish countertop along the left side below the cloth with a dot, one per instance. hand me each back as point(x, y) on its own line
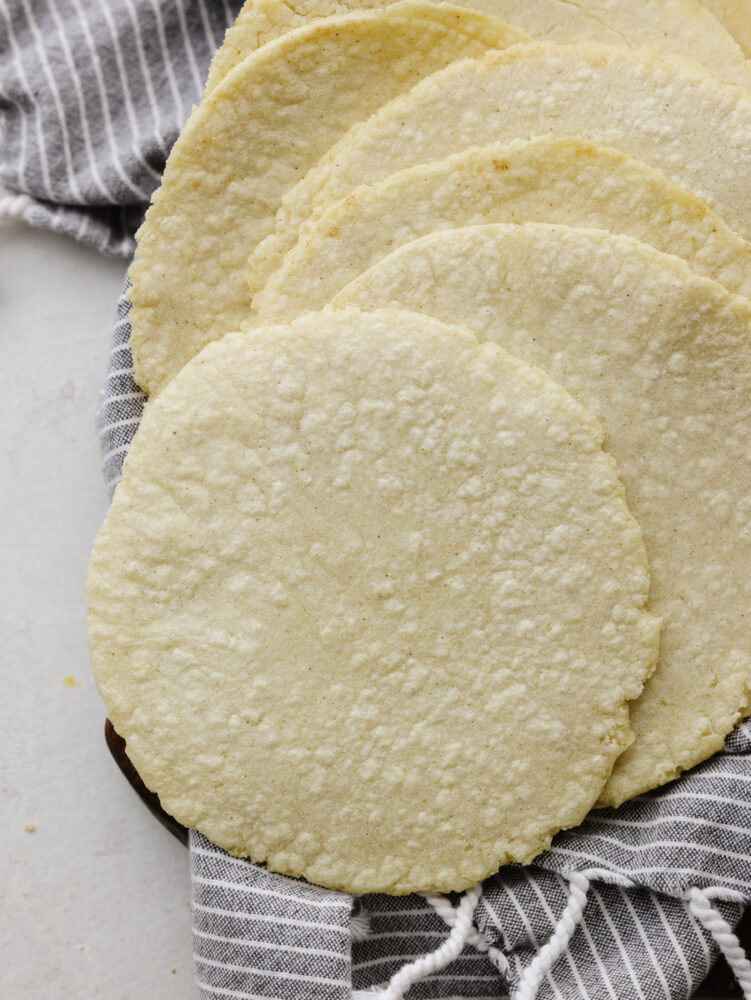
point(96, 900)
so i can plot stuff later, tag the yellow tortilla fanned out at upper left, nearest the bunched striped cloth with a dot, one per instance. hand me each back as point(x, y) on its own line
point(249, 142)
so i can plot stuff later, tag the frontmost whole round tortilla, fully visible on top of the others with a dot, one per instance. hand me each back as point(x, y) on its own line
point(369, 603)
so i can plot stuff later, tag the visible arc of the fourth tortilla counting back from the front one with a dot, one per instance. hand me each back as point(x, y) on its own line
point(664, 111)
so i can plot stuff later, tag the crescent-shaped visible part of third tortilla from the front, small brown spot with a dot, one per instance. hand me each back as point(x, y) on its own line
point(552, 180)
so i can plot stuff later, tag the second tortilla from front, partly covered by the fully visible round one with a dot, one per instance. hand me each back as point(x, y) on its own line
point(664, 358)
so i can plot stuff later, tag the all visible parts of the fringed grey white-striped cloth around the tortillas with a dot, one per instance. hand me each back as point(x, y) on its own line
point(92, 94)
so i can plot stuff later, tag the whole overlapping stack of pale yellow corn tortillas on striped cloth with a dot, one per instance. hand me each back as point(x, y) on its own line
point(436, 531)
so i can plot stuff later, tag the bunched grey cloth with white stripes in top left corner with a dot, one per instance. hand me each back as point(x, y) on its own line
point(92, 95)
